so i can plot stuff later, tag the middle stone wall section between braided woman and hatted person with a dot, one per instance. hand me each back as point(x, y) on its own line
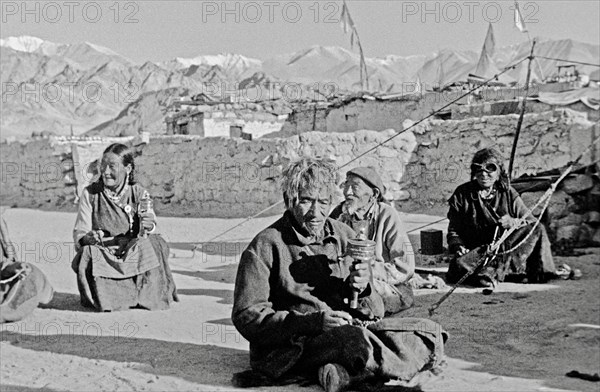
point(236, 178)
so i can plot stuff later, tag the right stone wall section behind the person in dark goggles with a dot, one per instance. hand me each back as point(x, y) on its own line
point(445, 148)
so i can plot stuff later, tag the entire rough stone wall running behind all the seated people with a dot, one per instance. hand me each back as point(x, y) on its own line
point(235, 178)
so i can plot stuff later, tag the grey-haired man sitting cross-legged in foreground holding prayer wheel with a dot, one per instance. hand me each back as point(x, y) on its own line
point(291, 300)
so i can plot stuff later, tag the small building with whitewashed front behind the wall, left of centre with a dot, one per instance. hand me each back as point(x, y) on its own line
point(203, 116)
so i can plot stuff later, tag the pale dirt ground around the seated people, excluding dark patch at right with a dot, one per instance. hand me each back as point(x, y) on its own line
point(521, 338)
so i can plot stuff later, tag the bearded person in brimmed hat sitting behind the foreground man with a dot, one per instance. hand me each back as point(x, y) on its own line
point(365, 207)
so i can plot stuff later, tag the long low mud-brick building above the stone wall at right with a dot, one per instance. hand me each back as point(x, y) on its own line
point(379, 112)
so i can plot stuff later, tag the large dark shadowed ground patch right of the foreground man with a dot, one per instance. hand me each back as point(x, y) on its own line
point(528, 335)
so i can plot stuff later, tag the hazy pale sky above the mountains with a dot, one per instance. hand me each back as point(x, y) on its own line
point(162, 30)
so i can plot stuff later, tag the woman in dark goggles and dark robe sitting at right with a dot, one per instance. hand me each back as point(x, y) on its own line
point(480, 210)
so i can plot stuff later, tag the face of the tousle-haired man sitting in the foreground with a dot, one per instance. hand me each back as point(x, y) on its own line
point(311, 209)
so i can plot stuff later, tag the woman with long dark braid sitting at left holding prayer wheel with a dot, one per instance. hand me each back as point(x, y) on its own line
point(120, 263)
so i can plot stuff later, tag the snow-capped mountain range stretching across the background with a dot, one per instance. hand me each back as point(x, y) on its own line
point(54, 87)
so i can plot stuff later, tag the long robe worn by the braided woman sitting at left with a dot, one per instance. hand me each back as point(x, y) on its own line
point(129, 271)
